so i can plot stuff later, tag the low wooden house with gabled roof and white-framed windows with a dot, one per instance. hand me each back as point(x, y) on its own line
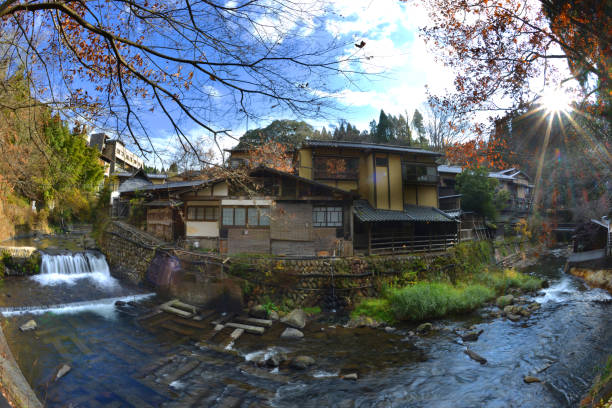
point(268, 211)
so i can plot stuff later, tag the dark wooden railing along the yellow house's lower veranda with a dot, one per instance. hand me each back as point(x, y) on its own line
point(399, 243)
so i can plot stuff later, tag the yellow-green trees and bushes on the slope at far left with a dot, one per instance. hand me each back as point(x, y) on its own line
point(49, 176)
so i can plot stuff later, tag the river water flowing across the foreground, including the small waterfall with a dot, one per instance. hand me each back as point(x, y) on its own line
point(118, 361)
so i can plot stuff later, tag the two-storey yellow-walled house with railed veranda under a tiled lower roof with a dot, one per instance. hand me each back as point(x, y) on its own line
point(397, 210)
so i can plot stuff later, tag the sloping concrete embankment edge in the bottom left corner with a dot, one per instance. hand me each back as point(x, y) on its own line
point(12, 382)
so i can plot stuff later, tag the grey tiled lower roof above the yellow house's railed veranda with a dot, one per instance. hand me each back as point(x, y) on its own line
point(364, 211)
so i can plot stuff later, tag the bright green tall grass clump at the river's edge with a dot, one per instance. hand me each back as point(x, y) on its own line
point(432, 299)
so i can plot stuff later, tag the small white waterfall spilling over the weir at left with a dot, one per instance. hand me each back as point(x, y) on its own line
point(68, 268)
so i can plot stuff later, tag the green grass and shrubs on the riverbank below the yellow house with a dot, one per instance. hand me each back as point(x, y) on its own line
point(472, 282)
